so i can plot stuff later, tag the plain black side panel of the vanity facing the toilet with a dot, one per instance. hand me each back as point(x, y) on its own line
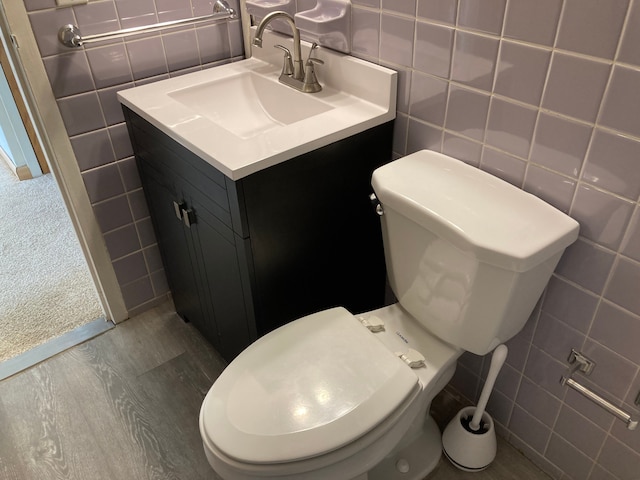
point(316, 240)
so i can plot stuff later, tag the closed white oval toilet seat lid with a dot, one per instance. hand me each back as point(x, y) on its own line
point(305, 389)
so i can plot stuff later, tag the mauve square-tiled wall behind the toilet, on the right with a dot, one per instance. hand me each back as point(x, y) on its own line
point(546, 95)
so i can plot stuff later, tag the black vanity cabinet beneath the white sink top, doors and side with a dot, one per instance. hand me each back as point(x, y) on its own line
point(244, 257)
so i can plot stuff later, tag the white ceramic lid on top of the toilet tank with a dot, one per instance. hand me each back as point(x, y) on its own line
point(478, 212)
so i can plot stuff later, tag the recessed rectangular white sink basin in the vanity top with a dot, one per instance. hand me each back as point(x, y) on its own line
point(249, 104)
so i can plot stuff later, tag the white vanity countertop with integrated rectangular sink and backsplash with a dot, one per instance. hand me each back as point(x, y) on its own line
point(240, 119)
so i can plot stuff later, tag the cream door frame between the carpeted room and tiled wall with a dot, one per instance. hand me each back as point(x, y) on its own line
point(23, 55)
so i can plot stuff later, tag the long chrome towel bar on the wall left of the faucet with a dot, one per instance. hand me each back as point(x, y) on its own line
point(70, 36)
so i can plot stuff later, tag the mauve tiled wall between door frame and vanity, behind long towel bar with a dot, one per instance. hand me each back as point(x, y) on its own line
point(85, 82)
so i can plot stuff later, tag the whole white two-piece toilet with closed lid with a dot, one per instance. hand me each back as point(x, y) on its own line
point(342, 396)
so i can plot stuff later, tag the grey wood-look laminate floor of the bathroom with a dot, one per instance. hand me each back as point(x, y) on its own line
point(125, 406)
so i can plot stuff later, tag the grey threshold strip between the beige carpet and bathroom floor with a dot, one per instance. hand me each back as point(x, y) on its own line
point(47, 350)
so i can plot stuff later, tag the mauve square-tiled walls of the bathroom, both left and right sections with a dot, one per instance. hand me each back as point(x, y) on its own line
point(541, 93)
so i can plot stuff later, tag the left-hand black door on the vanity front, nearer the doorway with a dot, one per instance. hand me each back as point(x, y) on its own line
point(173, 241)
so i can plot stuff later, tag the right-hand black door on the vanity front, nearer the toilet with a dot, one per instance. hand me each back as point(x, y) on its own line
point(218, 265)
